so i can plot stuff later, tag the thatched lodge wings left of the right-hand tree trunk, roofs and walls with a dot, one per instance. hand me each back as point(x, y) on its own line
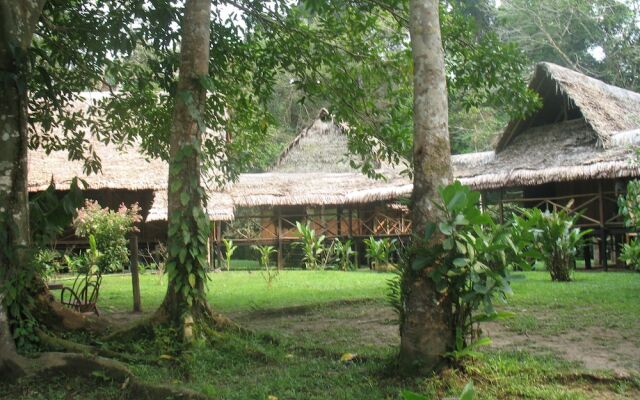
point(312, 182)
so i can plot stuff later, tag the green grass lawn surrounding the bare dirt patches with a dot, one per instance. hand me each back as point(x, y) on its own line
point(319, 315)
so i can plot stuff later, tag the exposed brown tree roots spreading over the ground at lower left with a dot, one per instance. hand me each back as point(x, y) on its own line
point(87, 361)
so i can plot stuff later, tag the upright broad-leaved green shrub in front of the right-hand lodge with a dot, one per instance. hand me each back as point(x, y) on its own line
point(553, 238)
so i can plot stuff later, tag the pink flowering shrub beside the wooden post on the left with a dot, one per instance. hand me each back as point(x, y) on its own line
point(110, 230)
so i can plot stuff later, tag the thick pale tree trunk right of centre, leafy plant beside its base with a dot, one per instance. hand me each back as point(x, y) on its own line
point(426, 329)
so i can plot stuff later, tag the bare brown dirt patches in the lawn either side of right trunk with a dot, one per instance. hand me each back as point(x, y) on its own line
point(367, 323)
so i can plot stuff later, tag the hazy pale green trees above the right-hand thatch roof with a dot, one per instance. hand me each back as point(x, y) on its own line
point(568, 32)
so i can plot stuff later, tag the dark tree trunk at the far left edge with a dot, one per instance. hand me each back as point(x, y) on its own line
point(17, 24)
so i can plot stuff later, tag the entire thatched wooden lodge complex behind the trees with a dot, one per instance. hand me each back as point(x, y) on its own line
point(579, 146)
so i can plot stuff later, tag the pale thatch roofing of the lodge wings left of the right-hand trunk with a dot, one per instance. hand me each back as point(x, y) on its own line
point(315, 169)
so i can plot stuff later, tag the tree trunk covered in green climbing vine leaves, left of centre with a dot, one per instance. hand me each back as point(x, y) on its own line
point(188, 223)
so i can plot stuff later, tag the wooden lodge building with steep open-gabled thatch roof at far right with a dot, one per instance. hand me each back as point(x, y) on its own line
point(580, 147)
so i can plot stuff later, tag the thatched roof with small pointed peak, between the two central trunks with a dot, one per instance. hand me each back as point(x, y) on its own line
point(315, 169)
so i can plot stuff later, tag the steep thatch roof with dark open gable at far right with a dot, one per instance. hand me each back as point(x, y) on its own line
point(585, 130)
